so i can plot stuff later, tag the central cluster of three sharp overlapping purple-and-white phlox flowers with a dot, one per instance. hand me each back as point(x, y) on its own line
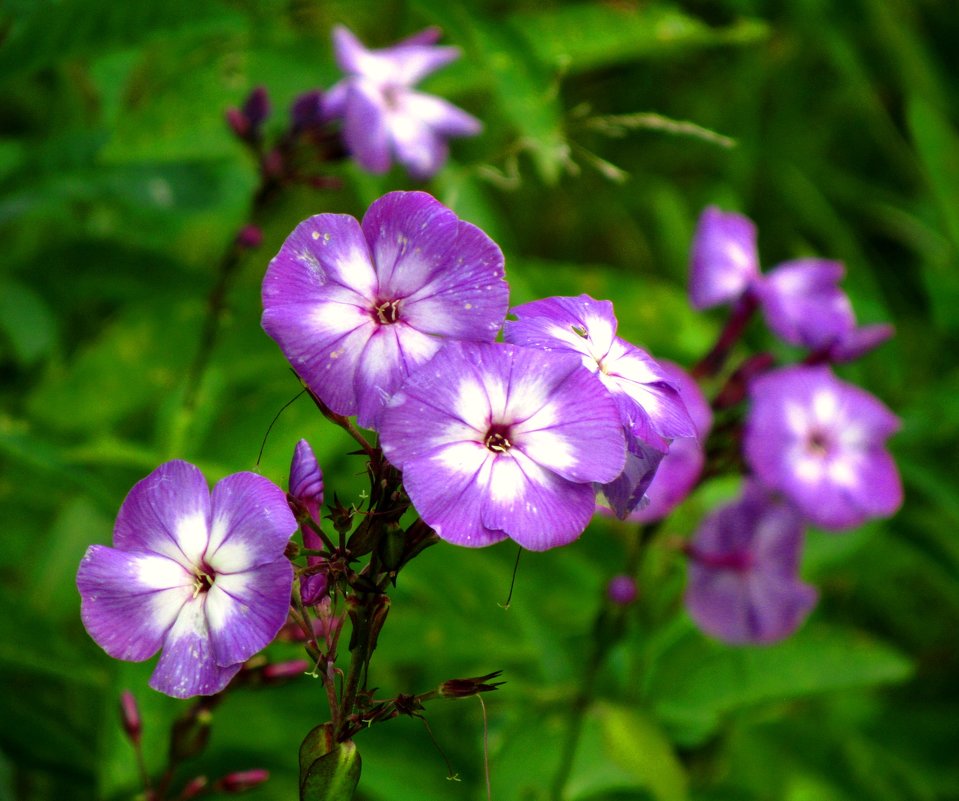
point(394, 320)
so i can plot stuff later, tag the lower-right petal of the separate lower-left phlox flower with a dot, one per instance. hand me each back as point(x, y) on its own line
point(244, 611)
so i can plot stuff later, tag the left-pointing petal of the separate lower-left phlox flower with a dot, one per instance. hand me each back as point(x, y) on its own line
point(130, 600)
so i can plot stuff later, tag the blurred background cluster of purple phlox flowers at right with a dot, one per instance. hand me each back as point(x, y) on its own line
point(813, 445)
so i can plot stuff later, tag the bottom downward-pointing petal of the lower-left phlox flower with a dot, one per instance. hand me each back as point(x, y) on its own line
point(187, 667)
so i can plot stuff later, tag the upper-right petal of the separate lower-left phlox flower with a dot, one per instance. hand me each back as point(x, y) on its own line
point(252, 523)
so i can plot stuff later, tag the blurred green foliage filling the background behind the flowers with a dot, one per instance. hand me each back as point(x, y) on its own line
point(120, 190)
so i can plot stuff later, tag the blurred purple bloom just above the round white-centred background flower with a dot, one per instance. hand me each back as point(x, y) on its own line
point(803, 304)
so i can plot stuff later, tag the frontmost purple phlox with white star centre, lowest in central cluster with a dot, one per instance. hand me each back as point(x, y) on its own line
point(499, 441)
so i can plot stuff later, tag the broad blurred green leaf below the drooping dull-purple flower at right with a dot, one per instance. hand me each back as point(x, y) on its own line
point(699, 681)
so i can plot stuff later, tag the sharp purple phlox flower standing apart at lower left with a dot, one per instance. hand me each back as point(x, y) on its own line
point(203, 577)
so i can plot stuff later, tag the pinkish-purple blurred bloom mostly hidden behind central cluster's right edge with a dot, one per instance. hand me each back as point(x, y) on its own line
point(681, 467)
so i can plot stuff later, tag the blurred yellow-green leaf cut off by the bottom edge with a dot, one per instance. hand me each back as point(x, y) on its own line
point(622, 749)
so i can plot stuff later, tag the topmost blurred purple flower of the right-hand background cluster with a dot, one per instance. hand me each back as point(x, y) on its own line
point(724, 262)
